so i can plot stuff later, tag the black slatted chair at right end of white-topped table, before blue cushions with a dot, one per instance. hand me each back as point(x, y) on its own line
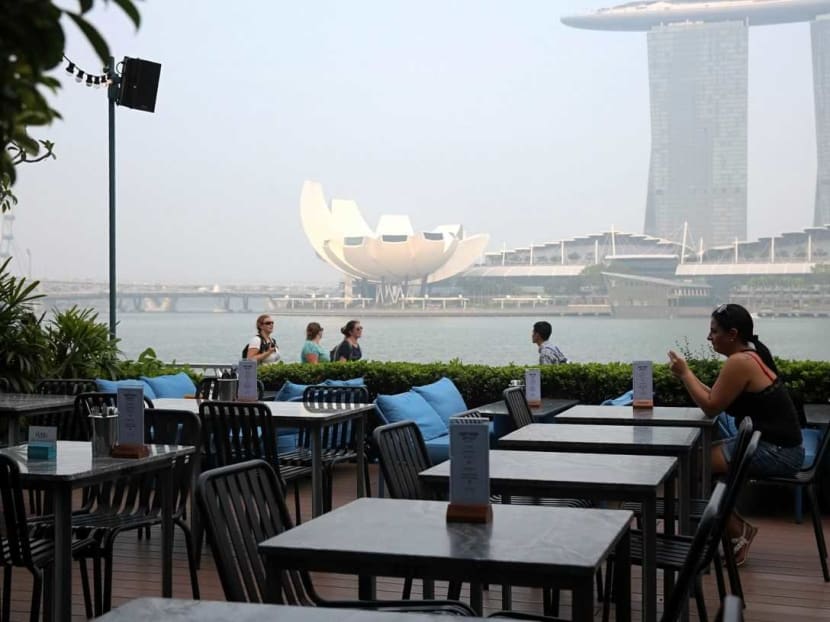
point(339, 442)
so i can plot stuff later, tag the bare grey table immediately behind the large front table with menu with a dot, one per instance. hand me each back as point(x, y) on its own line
point(600, 477)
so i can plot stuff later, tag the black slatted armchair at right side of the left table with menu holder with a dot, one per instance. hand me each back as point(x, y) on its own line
point(134, 503)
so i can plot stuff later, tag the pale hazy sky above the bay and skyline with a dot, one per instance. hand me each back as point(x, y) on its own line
point(485, 112)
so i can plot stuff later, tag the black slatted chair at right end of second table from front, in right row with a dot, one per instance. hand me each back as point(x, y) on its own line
point(674, 550)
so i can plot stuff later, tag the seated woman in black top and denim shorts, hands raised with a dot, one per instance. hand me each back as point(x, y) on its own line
point(748, 385)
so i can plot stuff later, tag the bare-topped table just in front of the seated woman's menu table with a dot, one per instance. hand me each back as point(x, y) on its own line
point(604, 439)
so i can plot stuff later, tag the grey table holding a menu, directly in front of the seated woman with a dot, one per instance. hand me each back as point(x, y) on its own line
point(671, 416)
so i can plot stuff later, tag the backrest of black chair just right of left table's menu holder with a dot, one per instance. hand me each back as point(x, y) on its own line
point(176, 427)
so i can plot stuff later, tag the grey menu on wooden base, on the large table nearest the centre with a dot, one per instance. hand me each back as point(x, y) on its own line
point(469, 470)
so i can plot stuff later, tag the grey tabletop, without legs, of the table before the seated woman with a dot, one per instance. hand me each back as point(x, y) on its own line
point(627, 415)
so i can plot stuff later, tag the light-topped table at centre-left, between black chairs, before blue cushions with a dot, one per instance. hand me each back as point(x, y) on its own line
point(313, 418)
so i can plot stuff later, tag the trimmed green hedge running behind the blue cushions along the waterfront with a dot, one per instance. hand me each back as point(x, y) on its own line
point(590, 383)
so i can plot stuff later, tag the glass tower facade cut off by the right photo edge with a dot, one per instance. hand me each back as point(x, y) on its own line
point(821, 89)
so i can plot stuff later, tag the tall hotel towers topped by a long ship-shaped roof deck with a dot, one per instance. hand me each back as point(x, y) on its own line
point(698, 74)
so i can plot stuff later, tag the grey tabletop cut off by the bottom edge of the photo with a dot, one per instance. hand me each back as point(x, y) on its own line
point(175, 610)
